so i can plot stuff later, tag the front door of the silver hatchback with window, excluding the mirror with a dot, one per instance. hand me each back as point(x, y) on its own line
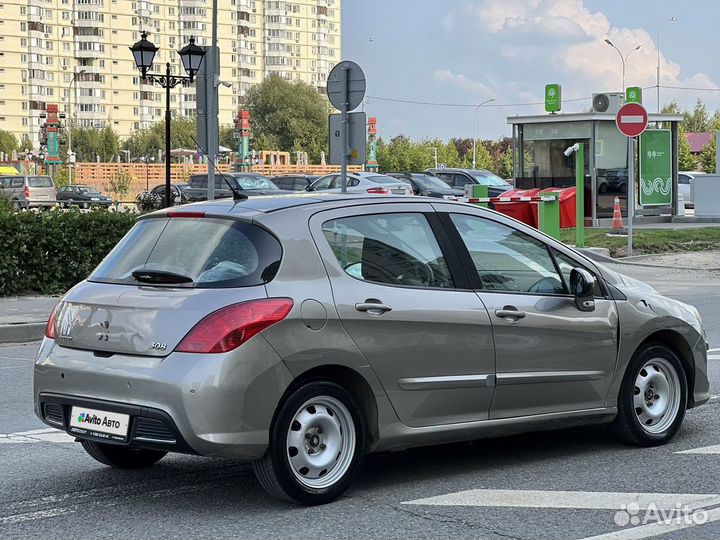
point(550, 356)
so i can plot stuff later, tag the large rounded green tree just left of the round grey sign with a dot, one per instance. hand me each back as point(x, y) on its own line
point(288, 116)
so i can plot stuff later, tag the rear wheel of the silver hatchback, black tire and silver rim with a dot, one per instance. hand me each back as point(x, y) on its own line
point(317, 445)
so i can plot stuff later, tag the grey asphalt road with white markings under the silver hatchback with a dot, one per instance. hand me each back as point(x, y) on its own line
point(564, 484)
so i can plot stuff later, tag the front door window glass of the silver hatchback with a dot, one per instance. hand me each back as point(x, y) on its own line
point(506, 259)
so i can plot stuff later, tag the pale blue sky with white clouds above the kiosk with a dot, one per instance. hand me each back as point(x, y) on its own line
point(464, 52)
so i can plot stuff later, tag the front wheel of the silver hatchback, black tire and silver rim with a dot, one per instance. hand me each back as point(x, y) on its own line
point(653, 398)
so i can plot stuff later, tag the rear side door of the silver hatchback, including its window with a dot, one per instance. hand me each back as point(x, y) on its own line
point(404, 300)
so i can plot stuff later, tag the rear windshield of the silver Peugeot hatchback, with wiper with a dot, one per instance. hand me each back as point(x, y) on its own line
point(206, 252)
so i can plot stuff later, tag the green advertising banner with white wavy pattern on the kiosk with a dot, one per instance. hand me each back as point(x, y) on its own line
point(656, 167)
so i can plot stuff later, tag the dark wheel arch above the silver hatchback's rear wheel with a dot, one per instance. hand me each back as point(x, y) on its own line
point(349, 379)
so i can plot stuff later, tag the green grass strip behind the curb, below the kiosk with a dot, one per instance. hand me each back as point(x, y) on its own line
point(650, 241)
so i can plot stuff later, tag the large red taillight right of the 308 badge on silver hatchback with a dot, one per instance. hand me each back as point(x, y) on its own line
point(228, 328)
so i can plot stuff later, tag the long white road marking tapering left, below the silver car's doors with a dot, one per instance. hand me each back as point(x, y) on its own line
point(568, 499)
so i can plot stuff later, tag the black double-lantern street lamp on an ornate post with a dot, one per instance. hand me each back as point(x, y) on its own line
point(191, 56)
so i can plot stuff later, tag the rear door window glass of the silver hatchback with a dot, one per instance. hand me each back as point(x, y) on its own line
point(392, 249)
